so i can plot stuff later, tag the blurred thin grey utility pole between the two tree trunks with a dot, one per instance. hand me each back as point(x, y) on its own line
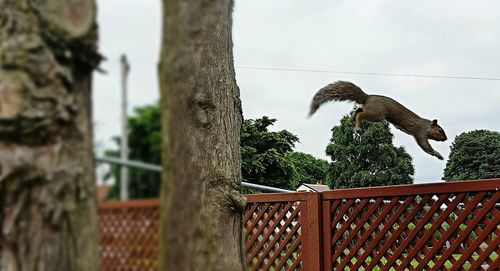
point(125, 68)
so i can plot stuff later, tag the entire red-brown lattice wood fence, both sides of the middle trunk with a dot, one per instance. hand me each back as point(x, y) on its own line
point(439, 226)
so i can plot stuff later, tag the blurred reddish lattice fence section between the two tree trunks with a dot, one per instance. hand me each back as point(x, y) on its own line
point(129, 235)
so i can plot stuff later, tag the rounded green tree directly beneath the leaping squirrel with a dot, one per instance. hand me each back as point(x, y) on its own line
point(366, 159)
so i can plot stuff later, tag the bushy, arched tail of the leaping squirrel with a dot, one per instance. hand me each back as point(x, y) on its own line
point(338, 91)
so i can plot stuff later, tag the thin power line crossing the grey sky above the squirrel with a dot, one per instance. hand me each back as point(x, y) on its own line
point(371, 73)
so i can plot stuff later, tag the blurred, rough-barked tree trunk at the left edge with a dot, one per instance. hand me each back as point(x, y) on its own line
point(48, 218)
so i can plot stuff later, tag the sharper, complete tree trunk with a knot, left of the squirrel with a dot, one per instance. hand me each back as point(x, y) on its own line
point(201, 200)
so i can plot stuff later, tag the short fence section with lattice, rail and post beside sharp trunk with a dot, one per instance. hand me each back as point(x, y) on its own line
point(283, 231)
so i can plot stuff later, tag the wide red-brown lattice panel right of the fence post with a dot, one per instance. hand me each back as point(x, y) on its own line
point(435, 231)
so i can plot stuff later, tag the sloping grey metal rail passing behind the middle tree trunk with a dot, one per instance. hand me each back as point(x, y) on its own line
point(157, 168)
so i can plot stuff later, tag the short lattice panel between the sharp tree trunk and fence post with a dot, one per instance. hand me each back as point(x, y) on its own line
point(273, 235)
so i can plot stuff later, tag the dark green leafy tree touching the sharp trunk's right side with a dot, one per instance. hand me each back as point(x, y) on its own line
point(268, 157)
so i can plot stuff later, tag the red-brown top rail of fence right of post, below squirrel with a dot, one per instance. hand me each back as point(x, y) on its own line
point(414, 189)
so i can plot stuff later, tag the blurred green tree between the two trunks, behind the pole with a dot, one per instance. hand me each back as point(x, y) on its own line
point(144, 137)
